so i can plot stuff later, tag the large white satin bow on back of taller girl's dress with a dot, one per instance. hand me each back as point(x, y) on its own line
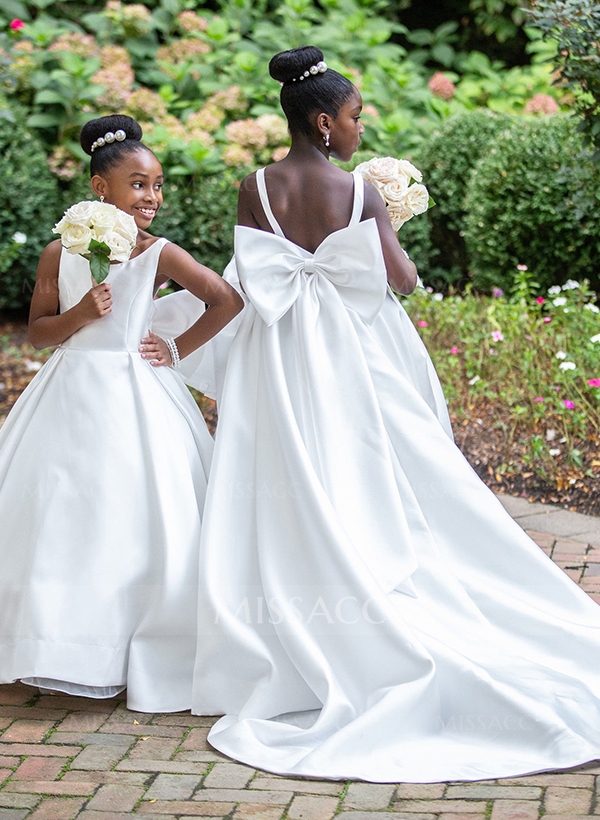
point(274, 271)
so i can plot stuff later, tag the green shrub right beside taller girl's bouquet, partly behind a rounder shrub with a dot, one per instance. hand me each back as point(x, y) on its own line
point(447, 161)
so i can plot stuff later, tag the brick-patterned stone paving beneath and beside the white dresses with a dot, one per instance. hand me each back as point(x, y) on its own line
point(63, 758)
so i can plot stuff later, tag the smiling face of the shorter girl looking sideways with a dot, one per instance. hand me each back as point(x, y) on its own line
point(134, 186)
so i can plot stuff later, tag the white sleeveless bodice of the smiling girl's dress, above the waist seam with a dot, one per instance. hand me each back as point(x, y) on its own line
point(132, 290)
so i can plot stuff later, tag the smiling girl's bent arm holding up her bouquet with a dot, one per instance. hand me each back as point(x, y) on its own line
point(46, 328)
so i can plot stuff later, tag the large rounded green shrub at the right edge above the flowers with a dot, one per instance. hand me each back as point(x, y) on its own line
point(521, 209)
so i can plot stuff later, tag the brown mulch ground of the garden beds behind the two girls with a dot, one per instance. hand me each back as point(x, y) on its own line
point(496, 451)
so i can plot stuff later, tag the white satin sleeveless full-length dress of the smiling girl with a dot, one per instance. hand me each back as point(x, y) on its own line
point(103, 470)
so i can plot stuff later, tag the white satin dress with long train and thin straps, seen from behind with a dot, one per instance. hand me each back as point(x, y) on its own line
point(367, 609)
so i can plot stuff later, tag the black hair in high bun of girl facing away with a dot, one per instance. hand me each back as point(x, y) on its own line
point(319, 92)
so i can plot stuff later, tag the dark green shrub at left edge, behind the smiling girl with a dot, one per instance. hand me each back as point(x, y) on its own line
point(29, 203)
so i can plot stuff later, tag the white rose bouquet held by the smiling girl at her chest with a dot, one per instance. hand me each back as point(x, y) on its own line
point(99, 232)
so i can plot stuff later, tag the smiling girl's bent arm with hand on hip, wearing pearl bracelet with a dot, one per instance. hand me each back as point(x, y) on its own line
point(223, 304)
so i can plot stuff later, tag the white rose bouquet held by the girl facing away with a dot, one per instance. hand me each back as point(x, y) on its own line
point(393, 178)
